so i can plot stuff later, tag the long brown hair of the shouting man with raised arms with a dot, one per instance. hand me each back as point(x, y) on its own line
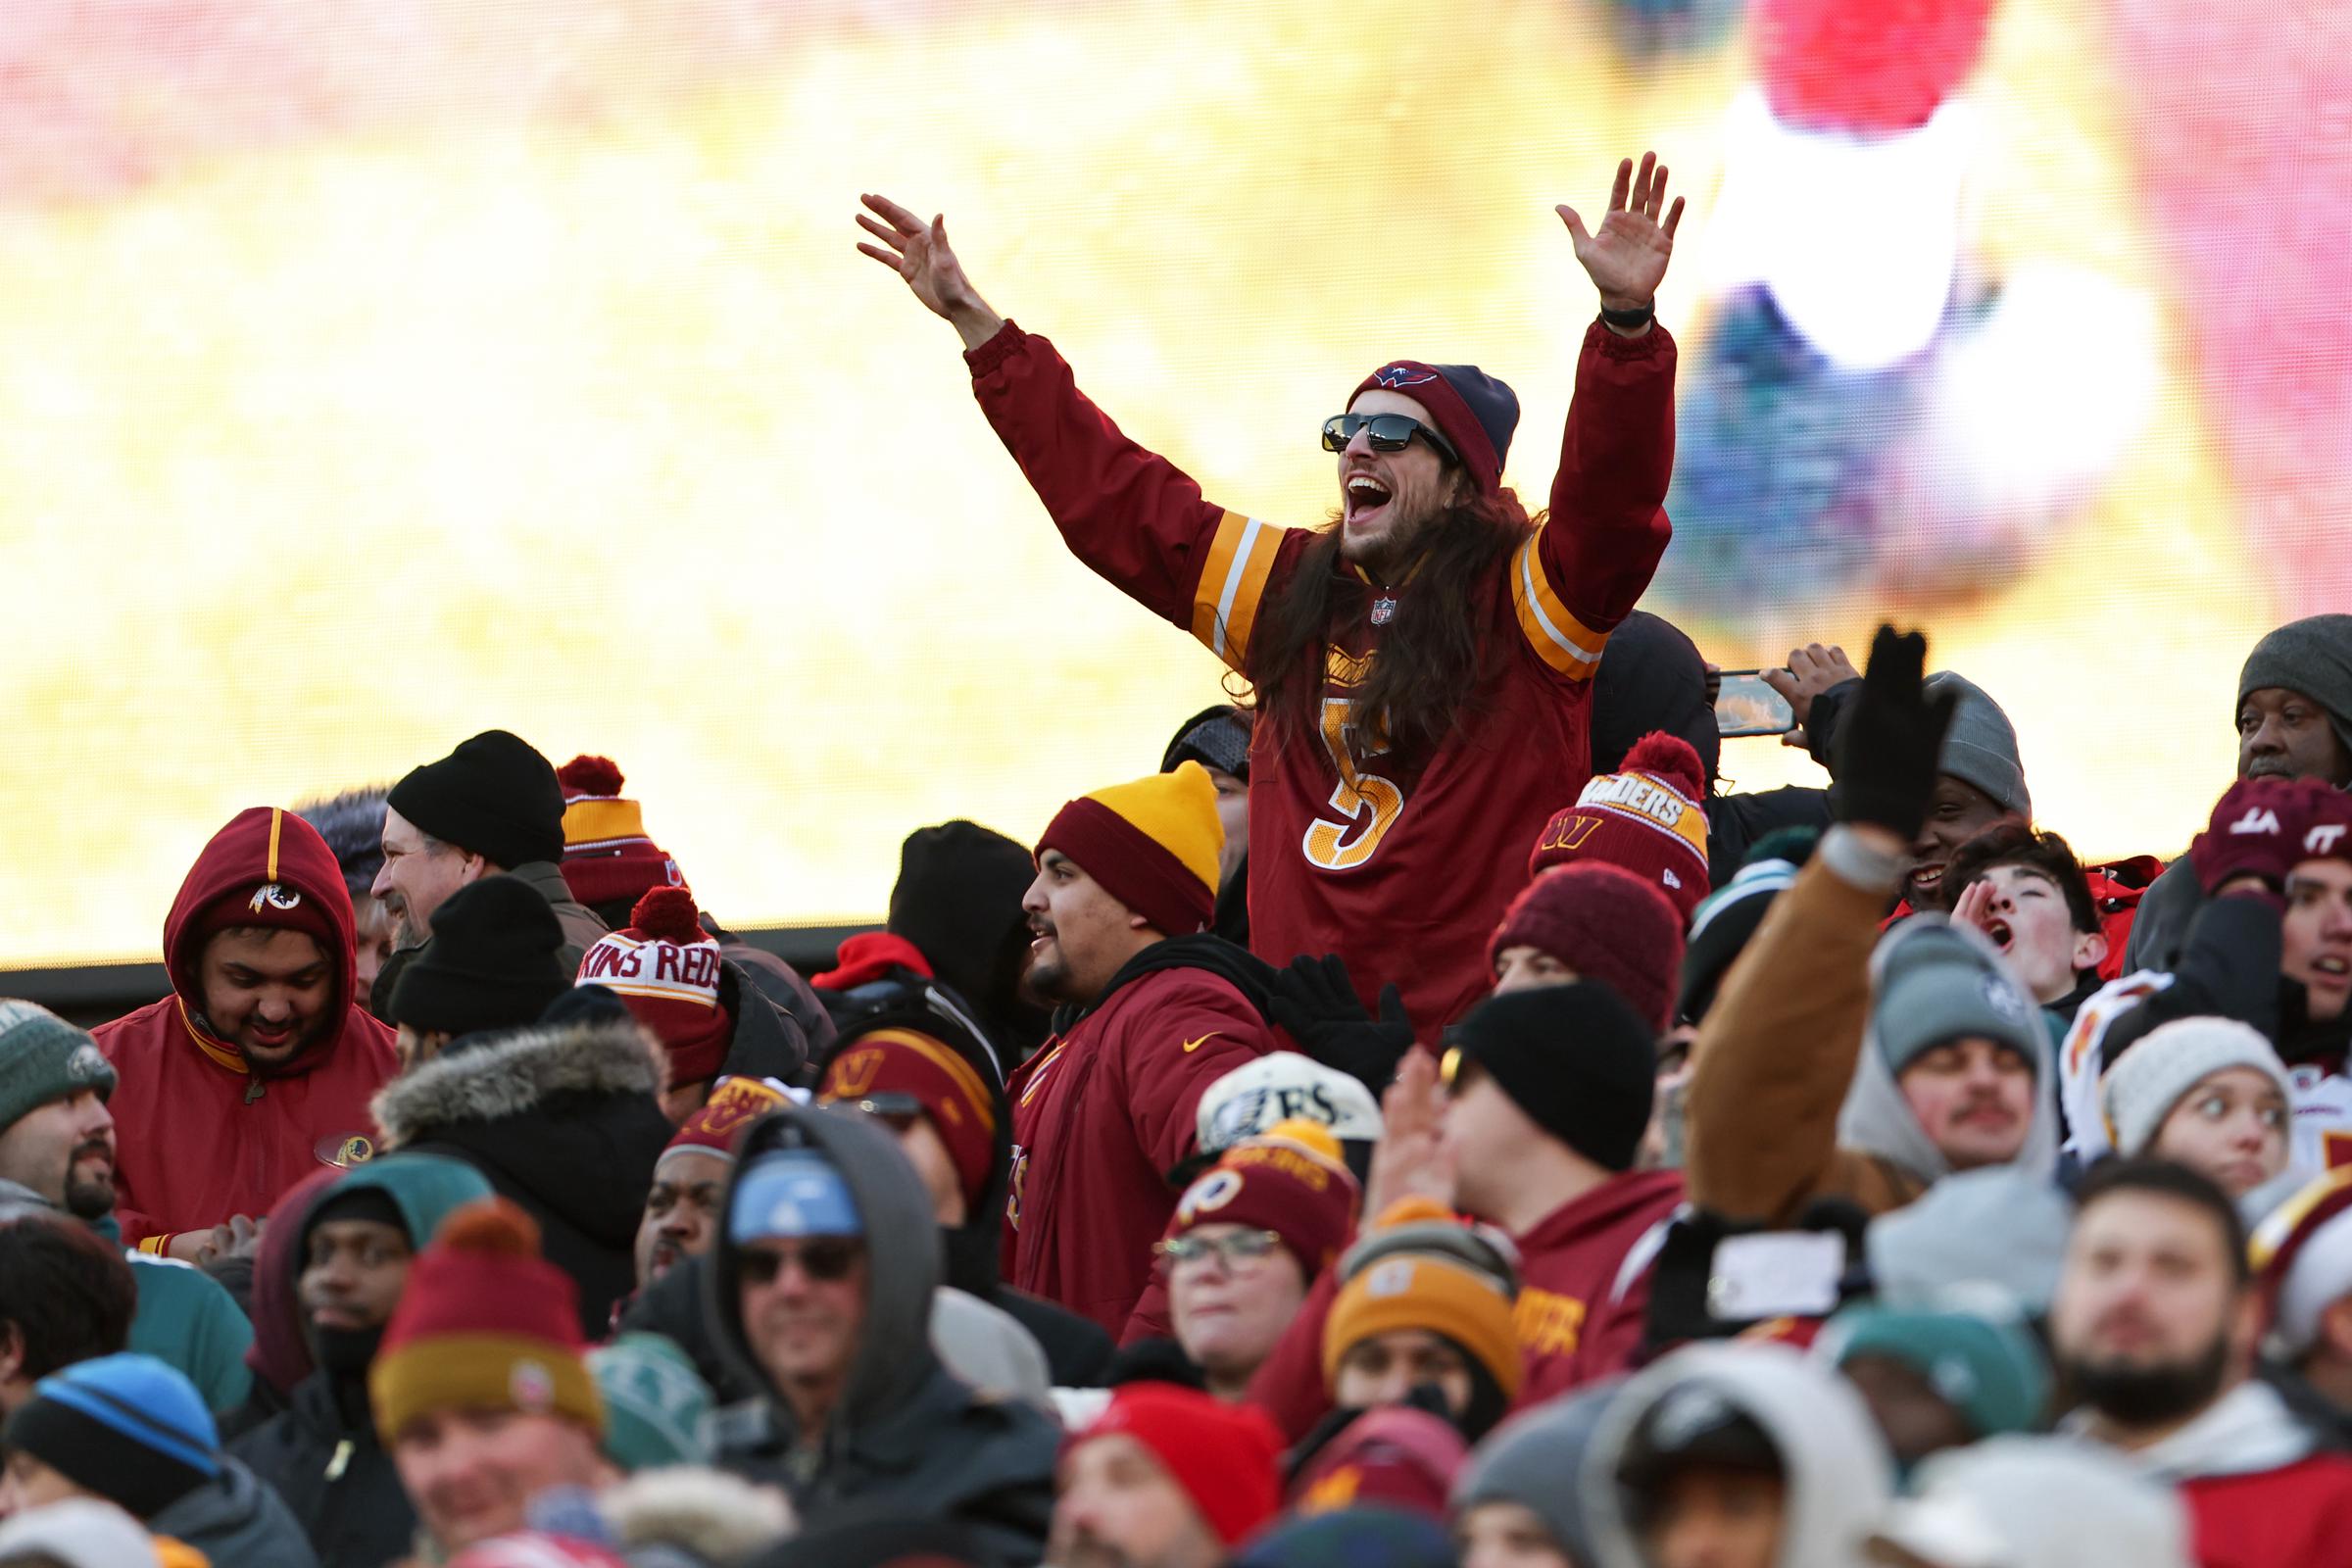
point(1434, 659)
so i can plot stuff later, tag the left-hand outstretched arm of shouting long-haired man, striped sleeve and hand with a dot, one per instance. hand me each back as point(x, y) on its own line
point(1128, 514)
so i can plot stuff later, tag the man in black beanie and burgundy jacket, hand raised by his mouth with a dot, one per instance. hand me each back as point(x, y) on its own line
point(1544, 1108)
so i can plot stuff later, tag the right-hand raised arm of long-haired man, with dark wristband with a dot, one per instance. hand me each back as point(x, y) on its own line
point(1605, 535)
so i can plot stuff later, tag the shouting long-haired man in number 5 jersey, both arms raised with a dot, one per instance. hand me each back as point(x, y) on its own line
point(1424, 664)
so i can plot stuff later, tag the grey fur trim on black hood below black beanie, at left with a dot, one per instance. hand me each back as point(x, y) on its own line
point(516, 1071)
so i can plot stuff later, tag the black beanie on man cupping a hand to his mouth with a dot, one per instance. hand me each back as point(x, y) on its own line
point(1577, 1059)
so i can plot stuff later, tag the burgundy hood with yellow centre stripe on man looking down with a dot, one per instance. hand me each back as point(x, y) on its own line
point(279, 871)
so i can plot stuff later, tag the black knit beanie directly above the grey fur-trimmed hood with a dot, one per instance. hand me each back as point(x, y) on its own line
point(493, 963)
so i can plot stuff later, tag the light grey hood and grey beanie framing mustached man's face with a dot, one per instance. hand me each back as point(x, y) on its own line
point(1876, 1118)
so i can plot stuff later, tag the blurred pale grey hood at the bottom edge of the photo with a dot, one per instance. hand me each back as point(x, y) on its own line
point(1838, 1470)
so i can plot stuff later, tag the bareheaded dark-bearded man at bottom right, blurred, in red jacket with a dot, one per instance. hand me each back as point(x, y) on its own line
point(2156, 1329)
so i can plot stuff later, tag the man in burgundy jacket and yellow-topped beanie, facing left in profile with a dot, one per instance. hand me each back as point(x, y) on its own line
point(1154, 1014)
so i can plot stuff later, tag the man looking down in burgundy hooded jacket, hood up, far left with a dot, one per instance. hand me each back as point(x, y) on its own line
point(258, 1068)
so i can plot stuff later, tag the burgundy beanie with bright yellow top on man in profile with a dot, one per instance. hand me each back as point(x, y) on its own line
point(1151, 843)
